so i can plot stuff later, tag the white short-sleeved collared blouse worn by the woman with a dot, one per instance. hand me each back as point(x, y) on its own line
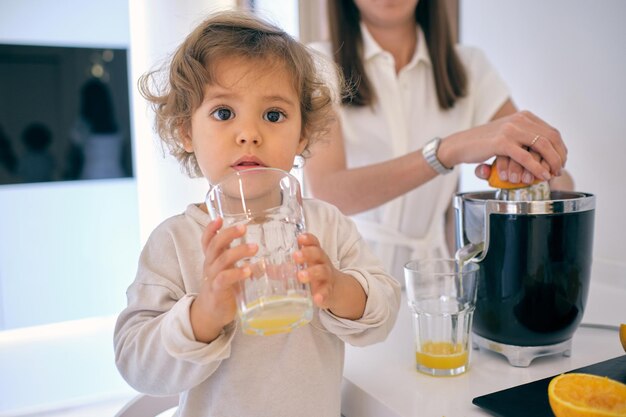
point(404, 117)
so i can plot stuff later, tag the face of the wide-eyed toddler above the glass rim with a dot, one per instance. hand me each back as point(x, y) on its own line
point(249, 118)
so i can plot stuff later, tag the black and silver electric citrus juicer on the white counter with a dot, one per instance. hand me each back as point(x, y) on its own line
point(534, 247)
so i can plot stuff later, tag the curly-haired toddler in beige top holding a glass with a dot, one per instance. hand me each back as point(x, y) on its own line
point(241, 93)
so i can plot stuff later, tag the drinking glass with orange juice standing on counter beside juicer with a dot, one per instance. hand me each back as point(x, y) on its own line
point(442, 296)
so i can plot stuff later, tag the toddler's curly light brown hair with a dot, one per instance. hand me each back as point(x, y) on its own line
point(176, 90)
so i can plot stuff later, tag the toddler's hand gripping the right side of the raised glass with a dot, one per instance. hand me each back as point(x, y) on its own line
point(331, 289)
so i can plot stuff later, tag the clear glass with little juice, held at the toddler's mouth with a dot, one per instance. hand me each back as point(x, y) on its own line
point(269, 202)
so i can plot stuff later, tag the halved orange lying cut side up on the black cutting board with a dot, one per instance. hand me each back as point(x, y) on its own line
point(585, 395)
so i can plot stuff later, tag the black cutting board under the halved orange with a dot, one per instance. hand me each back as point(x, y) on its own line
point(532, 399)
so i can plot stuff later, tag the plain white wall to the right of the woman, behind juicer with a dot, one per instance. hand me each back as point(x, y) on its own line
point(565, 60)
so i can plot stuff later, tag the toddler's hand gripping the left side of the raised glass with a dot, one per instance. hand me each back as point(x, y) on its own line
point(215, 306)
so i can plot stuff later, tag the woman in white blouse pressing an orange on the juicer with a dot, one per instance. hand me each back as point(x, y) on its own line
point(419, 107)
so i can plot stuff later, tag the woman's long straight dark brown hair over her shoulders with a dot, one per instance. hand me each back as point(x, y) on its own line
point(347, 44)
